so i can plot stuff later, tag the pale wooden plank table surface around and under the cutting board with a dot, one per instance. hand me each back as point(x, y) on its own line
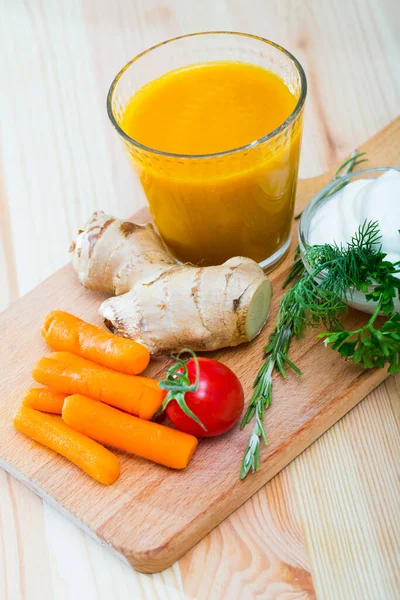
point(333, 515)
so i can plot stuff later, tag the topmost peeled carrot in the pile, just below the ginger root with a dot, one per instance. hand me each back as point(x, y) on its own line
point(62, 331)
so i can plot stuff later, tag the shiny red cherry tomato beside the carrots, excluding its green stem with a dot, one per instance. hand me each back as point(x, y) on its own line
point(218, 401)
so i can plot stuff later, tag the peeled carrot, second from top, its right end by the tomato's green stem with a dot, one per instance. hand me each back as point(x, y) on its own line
point(126, 392)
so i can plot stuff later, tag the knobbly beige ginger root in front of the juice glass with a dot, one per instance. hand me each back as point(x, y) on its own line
point(164, 305)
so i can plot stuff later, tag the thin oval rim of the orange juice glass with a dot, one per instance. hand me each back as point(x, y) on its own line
point(295, 112)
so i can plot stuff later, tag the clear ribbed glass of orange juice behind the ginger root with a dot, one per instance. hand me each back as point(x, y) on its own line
point(212, 123)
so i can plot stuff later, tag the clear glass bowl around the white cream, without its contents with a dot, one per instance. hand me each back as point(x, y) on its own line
point(354, 298)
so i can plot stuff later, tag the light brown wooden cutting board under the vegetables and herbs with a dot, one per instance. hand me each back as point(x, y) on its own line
point(153, 515)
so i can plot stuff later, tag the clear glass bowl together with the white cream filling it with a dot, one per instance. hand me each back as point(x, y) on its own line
point(334, 217)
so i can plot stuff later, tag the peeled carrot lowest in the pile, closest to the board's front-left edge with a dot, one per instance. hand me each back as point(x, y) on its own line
point(96, 461)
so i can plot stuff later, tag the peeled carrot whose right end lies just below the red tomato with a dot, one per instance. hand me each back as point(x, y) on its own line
point(163, 445)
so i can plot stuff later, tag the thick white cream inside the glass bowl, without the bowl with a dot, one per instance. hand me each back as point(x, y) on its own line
point(363, 199)
